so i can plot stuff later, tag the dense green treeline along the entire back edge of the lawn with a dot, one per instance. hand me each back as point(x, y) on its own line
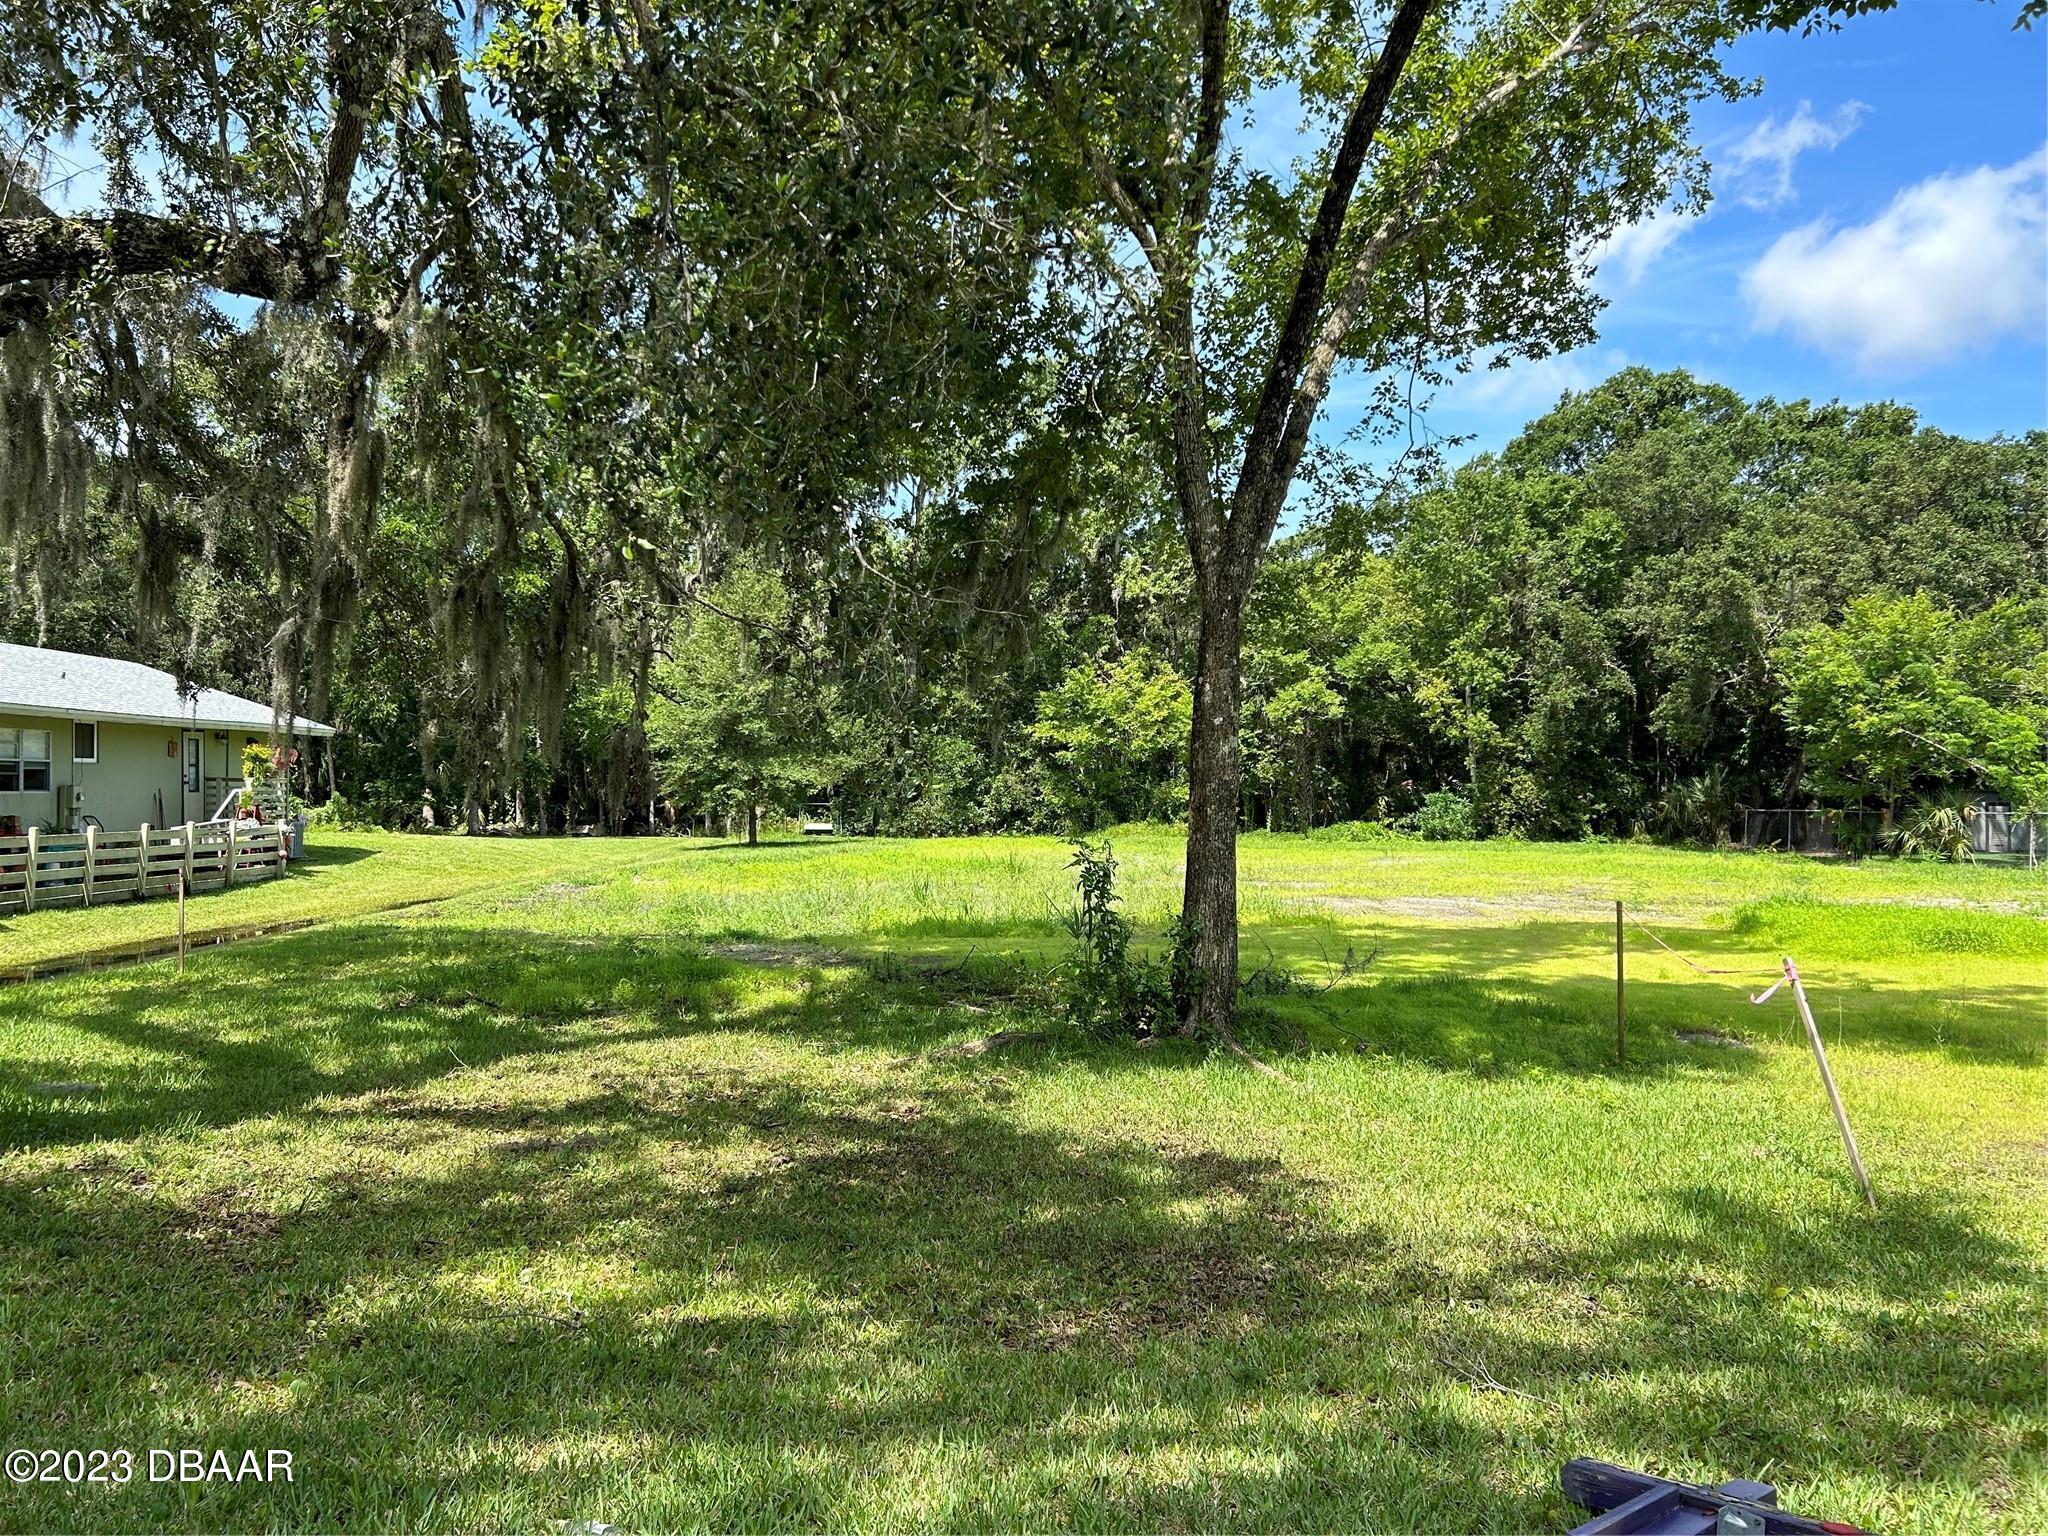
point(1656, 603)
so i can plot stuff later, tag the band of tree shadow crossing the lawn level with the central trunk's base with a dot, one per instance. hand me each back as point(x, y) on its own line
point(271, 1025)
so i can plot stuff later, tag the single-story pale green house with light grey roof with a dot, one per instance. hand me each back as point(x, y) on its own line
point(116, 740)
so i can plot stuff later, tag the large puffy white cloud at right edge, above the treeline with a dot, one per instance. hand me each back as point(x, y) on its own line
point(1951, 267)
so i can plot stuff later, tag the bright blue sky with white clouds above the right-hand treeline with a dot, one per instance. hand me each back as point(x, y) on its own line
point(1877, 234)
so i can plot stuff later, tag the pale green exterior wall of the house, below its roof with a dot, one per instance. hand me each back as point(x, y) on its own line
point(138, 777)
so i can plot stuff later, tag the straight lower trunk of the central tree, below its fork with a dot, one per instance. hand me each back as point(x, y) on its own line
point(1215, 783)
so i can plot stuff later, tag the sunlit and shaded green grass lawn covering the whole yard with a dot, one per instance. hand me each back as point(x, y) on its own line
point(630, 1183)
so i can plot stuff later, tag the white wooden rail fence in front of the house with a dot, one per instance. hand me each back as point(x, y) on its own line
point(50, 869)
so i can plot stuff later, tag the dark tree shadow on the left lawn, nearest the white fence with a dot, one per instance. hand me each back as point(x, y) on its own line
point(271, 1025)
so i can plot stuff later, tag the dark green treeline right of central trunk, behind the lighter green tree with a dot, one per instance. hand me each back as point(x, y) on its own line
point(1592, 630)
